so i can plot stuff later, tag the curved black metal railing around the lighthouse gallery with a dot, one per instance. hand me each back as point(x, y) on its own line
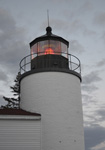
point(73, 62)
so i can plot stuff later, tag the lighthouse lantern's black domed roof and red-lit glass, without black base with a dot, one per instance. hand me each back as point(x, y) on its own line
point(49, 44)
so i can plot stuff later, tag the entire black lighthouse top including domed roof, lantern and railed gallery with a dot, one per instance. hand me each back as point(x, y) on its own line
point(50, 53)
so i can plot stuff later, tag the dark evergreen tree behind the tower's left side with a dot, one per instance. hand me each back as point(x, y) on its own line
point(13, 102)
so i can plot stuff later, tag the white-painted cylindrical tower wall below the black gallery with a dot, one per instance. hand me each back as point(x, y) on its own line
point(57, 97)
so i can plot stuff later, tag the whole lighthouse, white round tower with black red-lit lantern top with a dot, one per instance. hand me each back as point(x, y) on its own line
point(50, 85)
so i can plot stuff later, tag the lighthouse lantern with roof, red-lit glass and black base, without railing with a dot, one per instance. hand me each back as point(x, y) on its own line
point(49, 51)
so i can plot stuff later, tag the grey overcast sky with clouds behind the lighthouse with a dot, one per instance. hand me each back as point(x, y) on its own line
point(82, 23)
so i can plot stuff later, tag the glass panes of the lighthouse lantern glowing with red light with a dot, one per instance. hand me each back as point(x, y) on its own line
point(49, 47)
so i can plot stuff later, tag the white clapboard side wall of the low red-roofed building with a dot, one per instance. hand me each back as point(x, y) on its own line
point(19, 134)
